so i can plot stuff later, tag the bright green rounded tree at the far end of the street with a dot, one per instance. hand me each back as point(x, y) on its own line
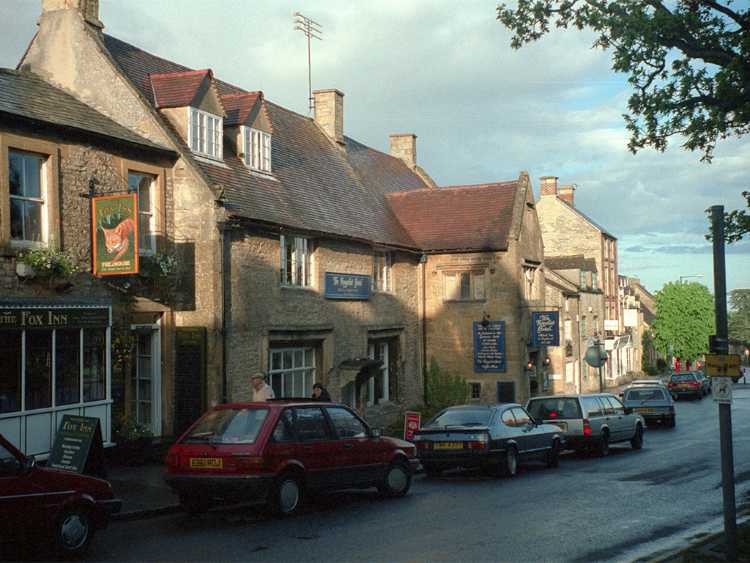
point(684, 319)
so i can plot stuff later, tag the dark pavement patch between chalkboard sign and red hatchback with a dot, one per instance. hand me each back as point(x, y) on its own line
point(142, 490)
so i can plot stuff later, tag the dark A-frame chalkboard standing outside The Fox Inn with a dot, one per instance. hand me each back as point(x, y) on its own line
point(78, 445)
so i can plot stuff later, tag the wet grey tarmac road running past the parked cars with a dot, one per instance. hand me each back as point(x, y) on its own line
point(588, 509)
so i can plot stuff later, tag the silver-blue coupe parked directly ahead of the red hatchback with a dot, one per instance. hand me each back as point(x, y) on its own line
point(493, 437)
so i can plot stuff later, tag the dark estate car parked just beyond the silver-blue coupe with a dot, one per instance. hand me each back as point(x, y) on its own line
point(592, 421)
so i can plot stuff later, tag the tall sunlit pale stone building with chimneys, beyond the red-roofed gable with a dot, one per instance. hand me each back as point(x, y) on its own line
point(567, 231)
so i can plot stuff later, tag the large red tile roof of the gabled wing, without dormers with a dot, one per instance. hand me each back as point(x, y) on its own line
point(476, 217)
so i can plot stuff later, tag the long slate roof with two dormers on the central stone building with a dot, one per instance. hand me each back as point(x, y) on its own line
point(316, 186)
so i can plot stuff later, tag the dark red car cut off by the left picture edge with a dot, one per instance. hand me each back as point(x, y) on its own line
point(62, 506)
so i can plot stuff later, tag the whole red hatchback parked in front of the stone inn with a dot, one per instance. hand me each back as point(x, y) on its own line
point(277, 451)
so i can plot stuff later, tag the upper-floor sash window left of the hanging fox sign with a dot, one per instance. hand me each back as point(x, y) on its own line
point(27, 197)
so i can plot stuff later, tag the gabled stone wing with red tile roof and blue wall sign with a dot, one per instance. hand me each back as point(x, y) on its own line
point(482, 274)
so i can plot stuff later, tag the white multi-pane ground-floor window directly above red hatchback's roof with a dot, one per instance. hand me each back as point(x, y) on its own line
point(292, 372)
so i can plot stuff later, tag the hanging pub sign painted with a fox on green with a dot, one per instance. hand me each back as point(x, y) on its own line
point(115, 234)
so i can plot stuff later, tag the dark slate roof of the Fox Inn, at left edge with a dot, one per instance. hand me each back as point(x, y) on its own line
point(27, 96)
